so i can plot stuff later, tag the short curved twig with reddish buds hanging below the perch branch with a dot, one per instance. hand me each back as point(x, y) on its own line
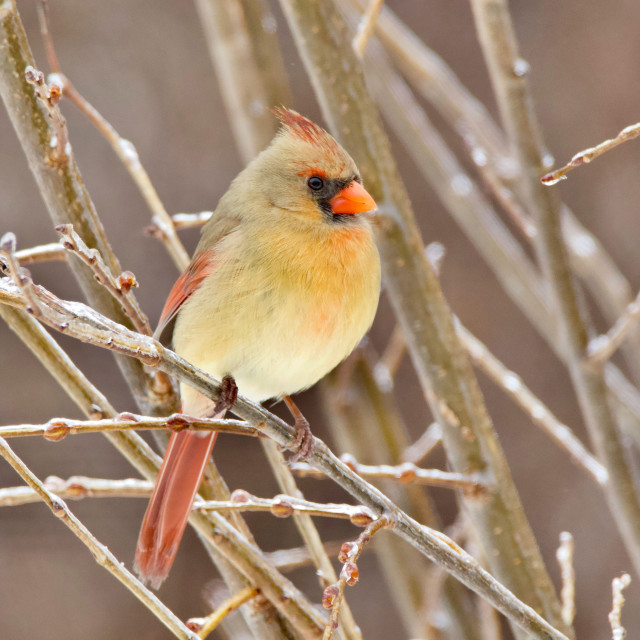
point(349, 553)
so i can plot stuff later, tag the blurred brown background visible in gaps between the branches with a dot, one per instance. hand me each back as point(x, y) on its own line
point(145, 66)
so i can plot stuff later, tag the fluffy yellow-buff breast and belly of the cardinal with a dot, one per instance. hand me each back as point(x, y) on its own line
point(282, 311)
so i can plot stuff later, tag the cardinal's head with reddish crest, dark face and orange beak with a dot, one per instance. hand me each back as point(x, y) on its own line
point(308, 176)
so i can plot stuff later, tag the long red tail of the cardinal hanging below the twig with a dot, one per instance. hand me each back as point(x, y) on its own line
point(168, 511)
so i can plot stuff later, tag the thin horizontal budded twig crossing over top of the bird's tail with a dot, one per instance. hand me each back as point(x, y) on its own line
point(58, 428)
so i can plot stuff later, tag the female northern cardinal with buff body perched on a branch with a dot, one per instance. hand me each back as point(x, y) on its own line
point(283, 285)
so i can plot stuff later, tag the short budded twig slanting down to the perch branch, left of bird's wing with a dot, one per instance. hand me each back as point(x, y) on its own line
point(118, 286)
